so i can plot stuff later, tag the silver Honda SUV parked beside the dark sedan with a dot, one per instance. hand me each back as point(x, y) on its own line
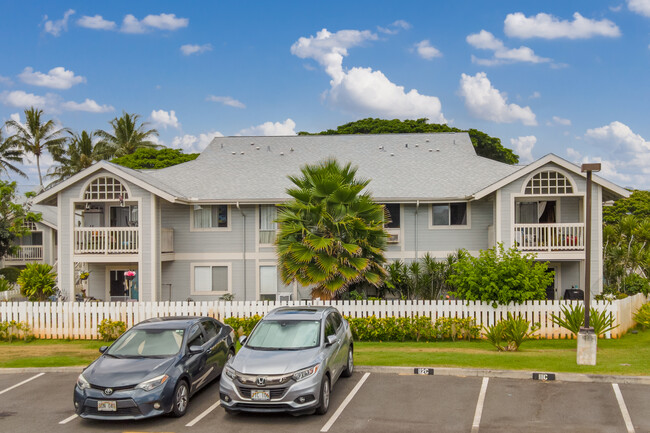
point(289, 363)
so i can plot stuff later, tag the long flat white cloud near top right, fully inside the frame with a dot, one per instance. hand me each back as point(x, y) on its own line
point(547, 26)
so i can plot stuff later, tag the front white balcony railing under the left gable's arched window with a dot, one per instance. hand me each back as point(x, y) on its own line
point(106, 240)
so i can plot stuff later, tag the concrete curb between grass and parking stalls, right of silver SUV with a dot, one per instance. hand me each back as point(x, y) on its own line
point(510, 374)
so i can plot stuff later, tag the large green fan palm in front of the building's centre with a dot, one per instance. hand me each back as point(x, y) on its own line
point(331, 234)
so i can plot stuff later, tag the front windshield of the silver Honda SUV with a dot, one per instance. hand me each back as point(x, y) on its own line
point(285, 335)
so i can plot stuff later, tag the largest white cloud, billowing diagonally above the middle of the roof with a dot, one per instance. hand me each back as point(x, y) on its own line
point(362, 90)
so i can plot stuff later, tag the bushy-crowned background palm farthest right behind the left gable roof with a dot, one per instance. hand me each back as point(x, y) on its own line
point(126, 137)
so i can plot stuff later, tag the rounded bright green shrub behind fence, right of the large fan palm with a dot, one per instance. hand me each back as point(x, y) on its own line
point(499, 276)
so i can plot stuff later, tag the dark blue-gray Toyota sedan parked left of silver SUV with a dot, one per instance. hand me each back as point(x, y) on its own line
point(154, 368)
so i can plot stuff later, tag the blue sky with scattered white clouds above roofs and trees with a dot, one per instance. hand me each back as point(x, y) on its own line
point(564, 77)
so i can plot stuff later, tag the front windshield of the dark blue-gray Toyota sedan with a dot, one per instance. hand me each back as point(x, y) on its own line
point(144, 343)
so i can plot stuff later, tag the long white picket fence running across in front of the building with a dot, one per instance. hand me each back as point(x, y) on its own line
point(79, 320)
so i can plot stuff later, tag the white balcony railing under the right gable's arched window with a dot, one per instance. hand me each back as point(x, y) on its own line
point(550, 237)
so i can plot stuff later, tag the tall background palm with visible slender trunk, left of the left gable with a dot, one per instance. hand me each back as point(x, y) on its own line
point(36, 137)
